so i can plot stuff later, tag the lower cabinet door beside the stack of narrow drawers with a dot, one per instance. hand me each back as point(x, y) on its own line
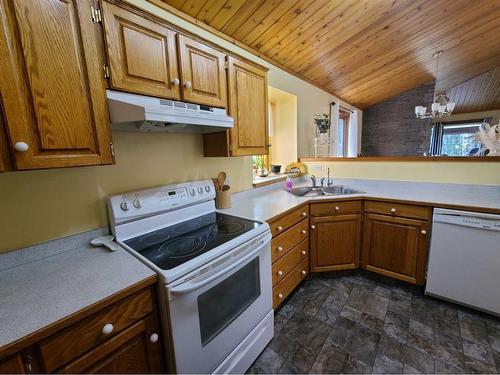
point(335, 242)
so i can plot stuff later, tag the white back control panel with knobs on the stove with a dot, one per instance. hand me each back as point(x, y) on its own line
point(128, 206)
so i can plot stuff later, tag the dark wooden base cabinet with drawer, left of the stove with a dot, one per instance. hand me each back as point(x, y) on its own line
point(122, 337)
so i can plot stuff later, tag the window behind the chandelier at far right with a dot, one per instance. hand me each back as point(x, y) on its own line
point(455, 139)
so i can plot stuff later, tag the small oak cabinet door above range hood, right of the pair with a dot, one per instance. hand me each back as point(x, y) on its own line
point(203, 73)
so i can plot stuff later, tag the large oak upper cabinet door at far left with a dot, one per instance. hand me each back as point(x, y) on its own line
point(52, 85)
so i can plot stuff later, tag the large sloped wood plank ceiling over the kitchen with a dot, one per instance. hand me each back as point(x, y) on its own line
point(364, 51)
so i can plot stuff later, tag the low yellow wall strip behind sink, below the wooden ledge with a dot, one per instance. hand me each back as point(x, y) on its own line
point(447, 172)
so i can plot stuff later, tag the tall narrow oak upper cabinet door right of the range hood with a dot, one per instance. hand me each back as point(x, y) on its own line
point(248, 107)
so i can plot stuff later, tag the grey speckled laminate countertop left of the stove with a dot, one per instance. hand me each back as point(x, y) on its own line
point(42, 291)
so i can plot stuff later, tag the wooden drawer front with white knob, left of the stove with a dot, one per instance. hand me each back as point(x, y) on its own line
point(77, 339)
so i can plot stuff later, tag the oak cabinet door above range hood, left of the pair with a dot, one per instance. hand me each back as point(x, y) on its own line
point(142, 54)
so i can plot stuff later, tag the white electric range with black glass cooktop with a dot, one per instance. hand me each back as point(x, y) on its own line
point(215, 293)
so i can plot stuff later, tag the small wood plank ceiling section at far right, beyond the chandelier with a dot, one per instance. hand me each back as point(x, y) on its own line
point(481, 93)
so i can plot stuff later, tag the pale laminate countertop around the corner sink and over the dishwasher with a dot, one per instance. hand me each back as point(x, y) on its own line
point(270, 201)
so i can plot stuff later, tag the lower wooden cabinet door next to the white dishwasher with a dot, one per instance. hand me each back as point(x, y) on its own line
point(396, 247)
